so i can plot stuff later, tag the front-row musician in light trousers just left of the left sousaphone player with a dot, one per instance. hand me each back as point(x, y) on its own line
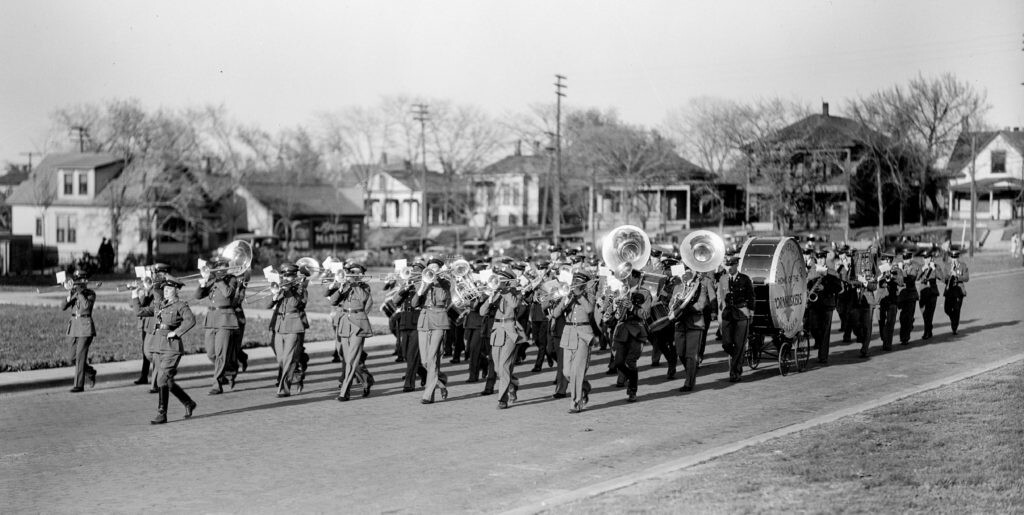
point(578, 337)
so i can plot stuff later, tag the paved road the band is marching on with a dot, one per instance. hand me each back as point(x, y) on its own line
point(248, 451)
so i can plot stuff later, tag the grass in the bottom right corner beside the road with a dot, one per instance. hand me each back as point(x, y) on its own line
point(955, 450)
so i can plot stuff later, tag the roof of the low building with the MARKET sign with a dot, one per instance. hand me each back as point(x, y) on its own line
point(311, 198)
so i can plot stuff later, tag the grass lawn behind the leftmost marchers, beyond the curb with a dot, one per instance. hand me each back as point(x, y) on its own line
point(33, 337)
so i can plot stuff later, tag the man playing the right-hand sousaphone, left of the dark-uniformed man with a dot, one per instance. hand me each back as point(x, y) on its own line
point(687, 310)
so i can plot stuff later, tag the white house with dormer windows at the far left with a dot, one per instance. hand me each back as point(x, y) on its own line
point(65, 203)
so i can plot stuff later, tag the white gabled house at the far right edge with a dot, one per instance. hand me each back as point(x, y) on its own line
point(998, 163)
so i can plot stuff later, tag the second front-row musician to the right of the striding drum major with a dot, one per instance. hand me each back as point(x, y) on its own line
point(289, 305)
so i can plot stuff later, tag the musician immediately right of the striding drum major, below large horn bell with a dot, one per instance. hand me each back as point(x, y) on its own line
point(222, 321)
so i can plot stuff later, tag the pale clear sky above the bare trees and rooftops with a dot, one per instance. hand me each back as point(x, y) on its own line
point(277, 64)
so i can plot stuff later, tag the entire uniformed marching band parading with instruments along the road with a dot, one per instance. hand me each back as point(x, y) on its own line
point(568, 308)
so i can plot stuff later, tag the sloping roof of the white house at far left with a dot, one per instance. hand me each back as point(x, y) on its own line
point(46, 178)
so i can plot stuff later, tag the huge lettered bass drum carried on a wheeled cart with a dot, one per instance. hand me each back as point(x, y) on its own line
point(777, 268)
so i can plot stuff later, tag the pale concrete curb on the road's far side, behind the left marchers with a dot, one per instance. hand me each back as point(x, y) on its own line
point(192, 366)
